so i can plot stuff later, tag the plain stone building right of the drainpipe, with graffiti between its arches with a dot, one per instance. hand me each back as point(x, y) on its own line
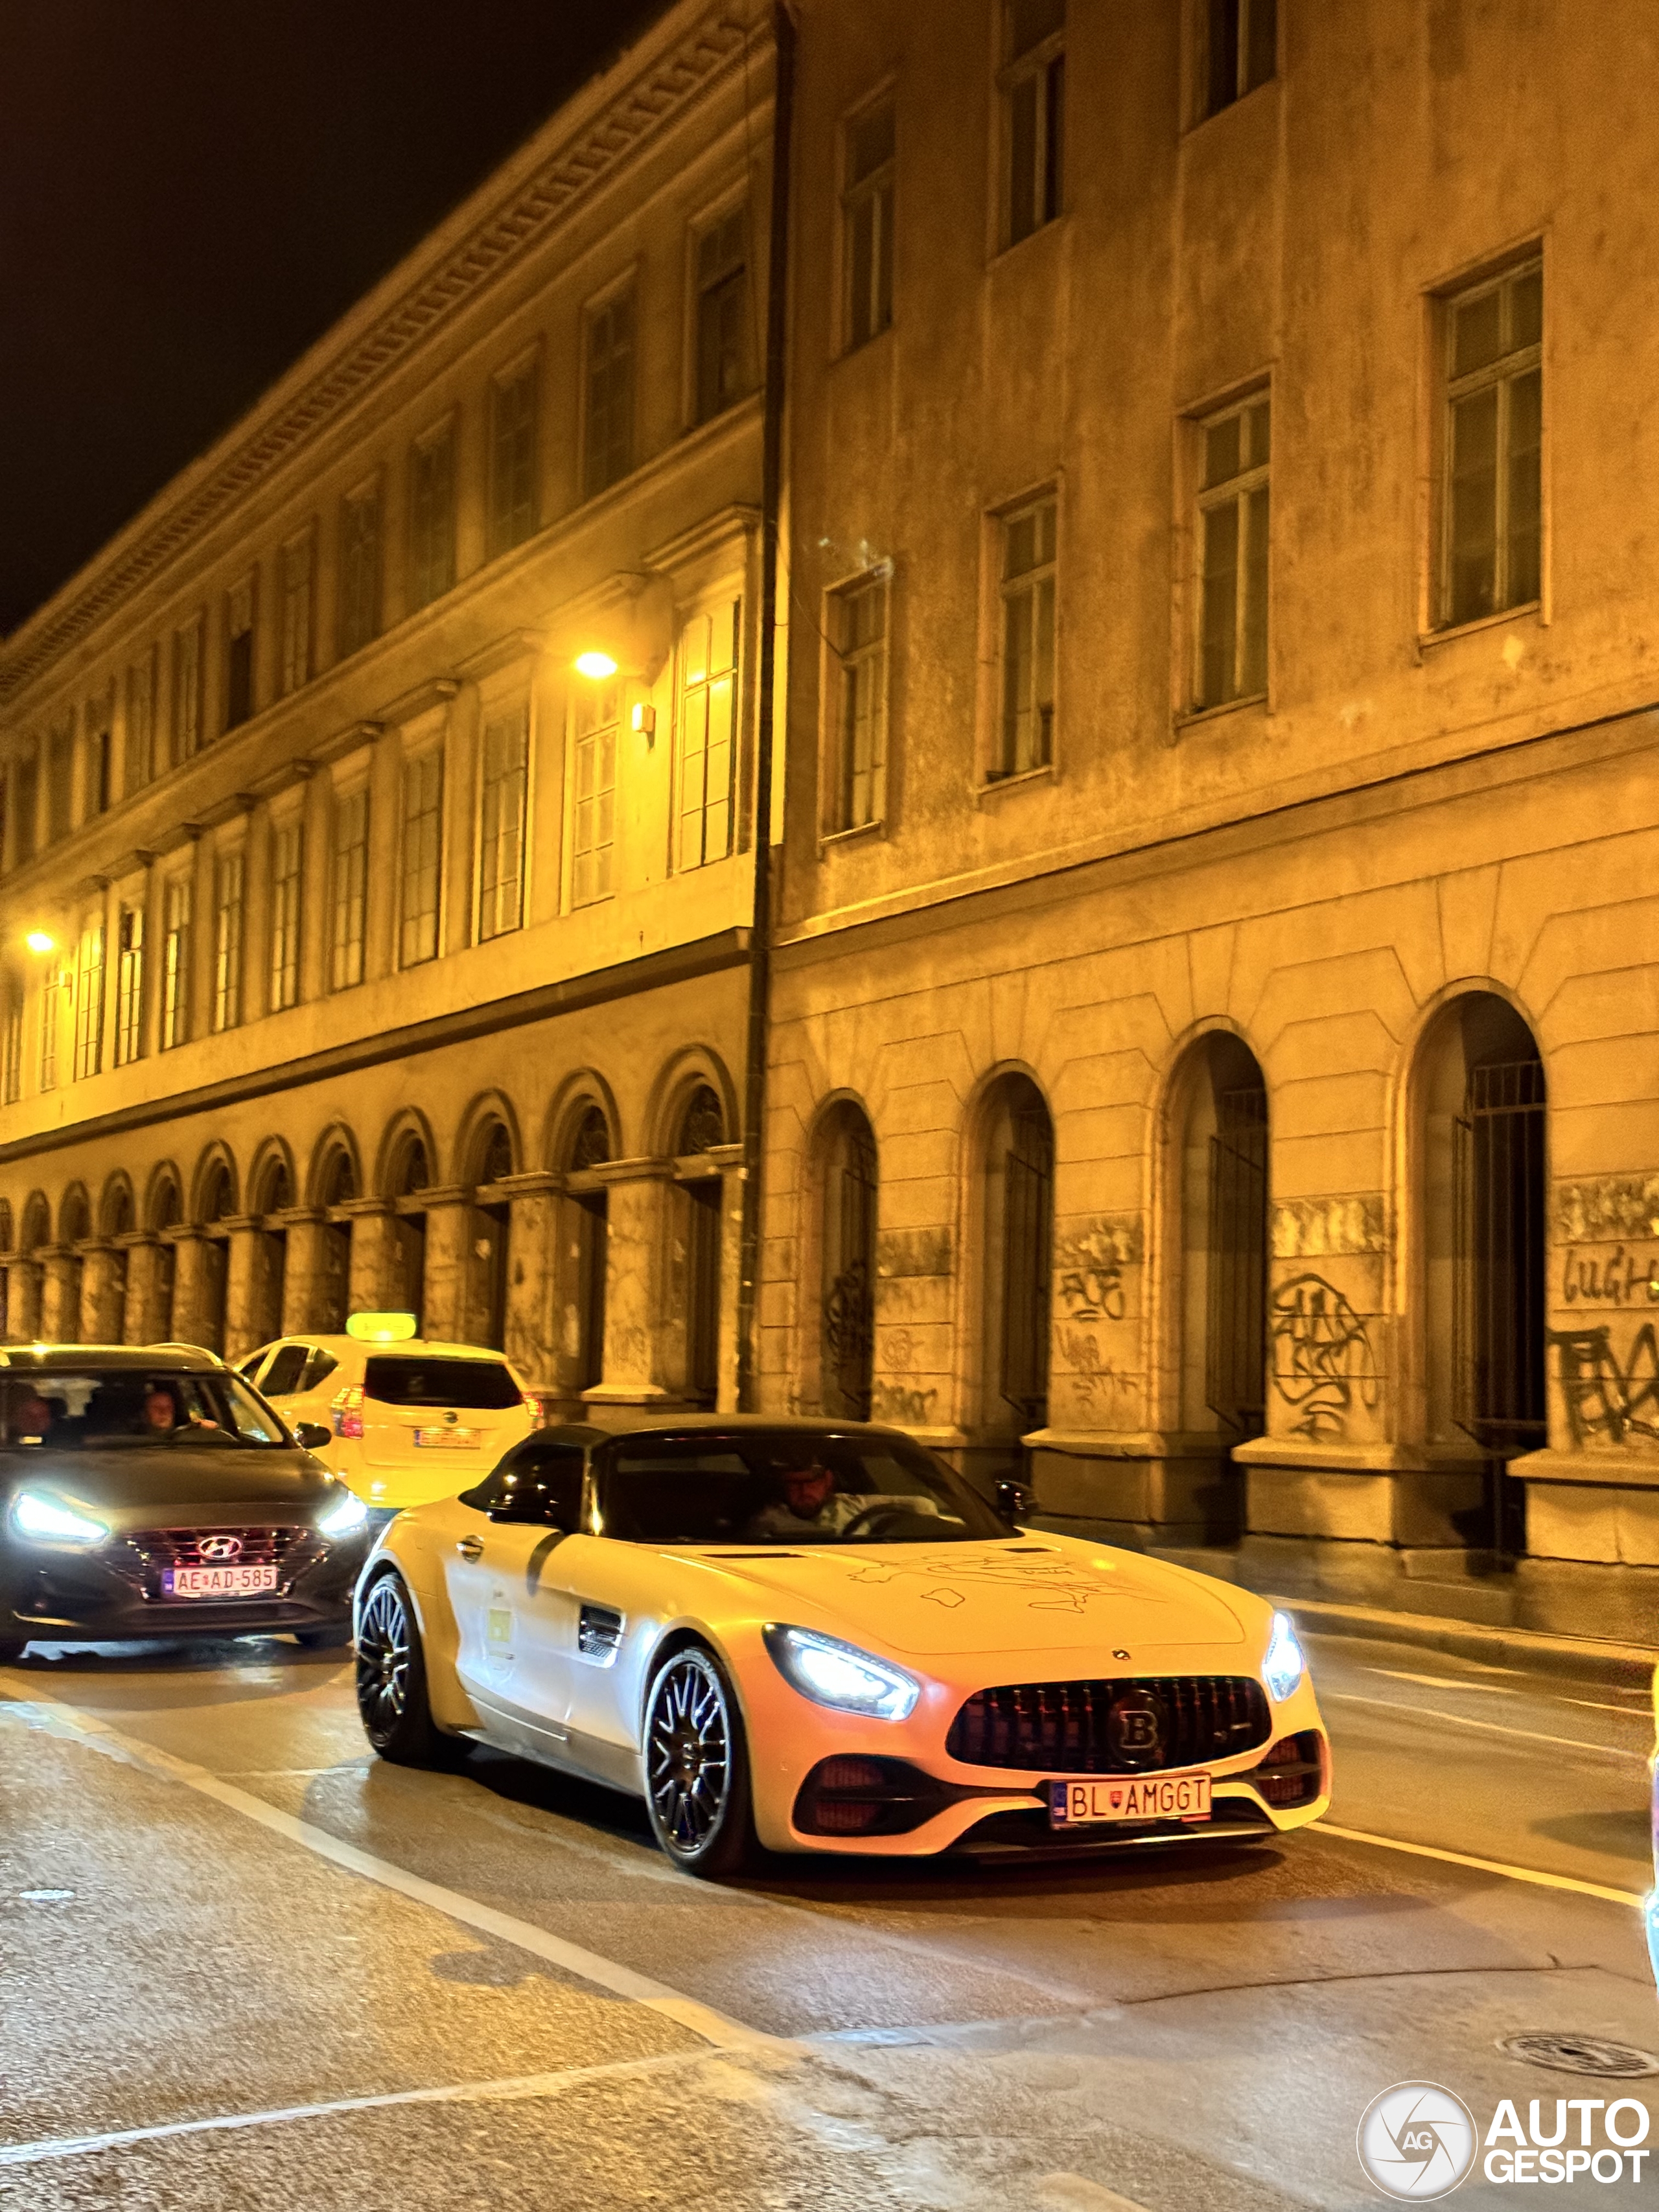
point(1218, 1003)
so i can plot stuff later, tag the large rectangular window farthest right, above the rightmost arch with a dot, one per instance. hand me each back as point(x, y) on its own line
point(1494, 437)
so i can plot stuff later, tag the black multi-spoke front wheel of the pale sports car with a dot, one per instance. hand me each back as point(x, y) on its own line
point(698, 1768)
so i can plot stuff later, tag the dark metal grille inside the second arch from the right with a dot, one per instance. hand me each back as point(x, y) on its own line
point(1235, 1346)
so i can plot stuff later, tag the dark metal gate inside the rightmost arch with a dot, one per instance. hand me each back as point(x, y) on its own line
point(1499, 1273)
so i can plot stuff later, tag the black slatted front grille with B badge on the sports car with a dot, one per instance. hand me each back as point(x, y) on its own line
point(1120, 1726)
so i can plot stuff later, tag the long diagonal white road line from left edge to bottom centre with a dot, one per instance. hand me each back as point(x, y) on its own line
point(713, 2027)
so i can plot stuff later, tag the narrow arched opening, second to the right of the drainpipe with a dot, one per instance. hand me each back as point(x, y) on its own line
point(1019, 1213)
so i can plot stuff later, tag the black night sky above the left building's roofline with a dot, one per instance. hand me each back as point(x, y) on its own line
point(191, 191)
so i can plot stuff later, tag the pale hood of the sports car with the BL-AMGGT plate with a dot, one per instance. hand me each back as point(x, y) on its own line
point(997, 1598)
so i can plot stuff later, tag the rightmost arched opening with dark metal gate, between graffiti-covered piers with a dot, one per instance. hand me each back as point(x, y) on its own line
point(1483, 1242)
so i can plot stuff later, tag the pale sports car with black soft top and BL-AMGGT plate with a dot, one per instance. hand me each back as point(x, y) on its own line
point(820, 1638)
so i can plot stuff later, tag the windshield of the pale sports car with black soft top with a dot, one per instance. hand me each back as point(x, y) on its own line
point(784, 1488)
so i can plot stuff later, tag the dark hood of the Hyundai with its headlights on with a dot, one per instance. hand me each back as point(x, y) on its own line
point(174, 1481)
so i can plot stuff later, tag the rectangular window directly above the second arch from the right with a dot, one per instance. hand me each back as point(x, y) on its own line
point(1233, 554)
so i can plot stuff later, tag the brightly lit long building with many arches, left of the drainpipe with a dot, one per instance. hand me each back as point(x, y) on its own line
point(382, 957)
